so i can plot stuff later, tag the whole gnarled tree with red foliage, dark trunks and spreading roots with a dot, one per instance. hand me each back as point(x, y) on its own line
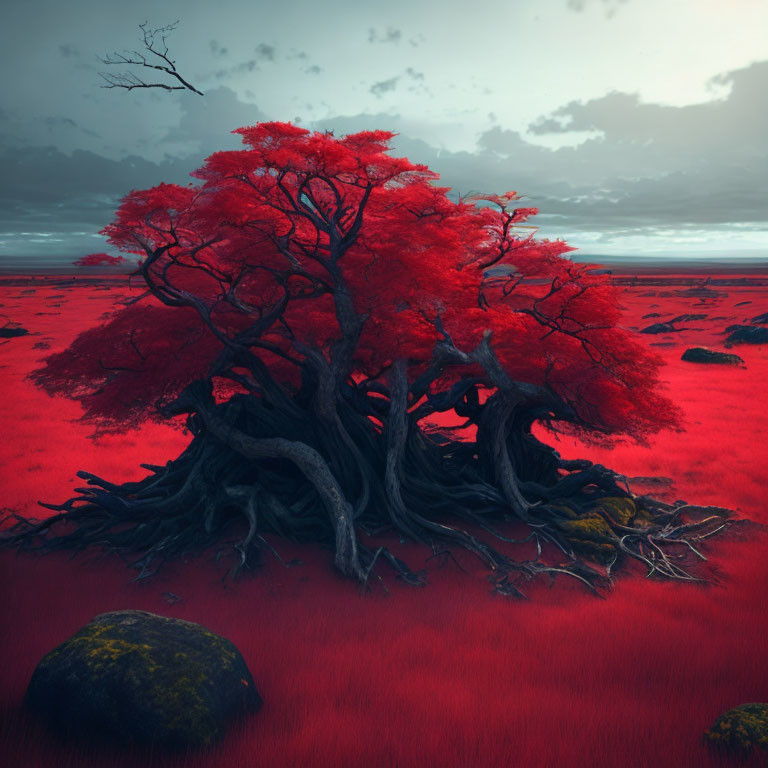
point(312, 307)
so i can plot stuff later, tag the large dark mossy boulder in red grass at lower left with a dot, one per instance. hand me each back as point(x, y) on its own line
point(135, 677)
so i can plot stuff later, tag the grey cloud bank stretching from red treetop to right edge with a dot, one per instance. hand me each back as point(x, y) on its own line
point(646, 166)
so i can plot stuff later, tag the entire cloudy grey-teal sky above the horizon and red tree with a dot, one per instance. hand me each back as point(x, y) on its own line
point(637, 127)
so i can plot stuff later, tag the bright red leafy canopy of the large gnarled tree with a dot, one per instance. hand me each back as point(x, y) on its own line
point(290, 225)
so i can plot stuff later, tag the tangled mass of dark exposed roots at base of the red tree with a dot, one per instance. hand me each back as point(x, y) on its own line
point(237, 476)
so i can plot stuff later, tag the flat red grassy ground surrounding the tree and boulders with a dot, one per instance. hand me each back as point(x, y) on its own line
point(449, 675)
